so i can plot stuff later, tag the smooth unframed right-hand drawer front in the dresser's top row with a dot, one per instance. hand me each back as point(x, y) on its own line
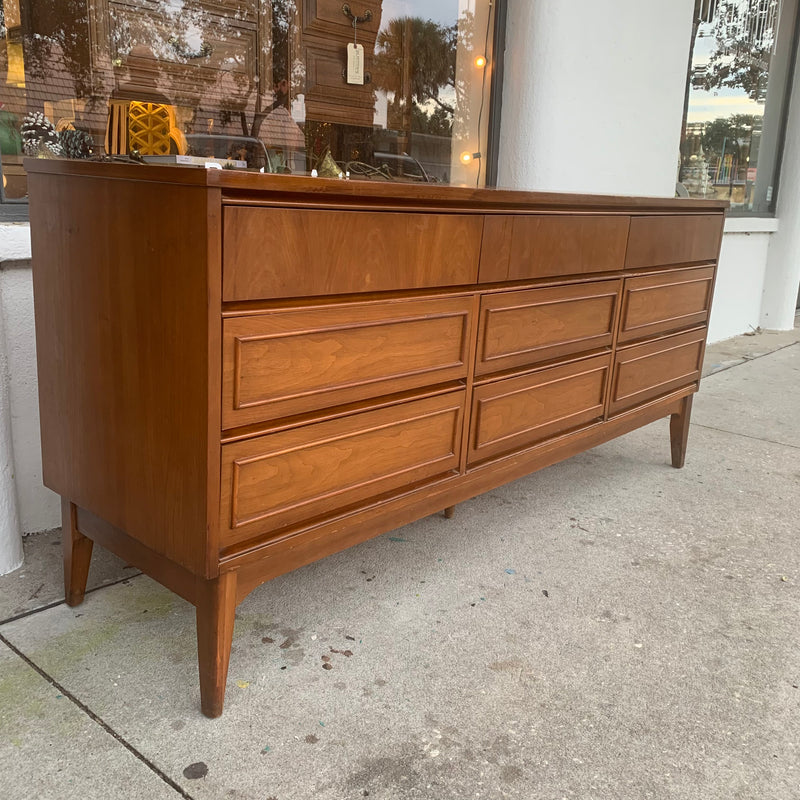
point(678, 239)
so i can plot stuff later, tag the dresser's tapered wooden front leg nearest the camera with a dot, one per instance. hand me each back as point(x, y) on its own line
point(216, 605)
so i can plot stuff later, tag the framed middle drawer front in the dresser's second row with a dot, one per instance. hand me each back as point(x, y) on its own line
point(521, 328)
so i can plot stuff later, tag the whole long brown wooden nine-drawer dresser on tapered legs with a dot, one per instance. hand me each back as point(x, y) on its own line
point(240, 374)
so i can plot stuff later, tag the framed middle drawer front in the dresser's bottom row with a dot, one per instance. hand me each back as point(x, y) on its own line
point(519, 412)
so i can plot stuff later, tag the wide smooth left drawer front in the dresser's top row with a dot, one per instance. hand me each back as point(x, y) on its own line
point(275, 252)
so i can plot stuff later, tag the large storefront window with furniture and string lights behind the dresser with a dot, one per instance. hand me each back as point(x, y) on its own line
point(256, 84)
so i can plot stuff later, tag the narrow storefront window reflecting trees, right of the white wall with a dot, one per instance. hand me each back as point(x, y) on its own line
point(735, 102)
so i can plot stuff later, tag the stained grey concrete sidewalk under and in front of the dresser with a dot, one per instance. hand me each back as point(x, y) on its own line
point(608, 628)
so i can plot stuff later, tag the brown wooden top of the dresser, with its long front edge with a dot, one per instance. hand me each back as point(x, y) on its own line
point(241, 186)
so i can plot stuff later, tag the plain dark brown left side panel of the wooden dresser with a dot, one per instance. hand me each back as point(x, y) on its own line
point(122, 298)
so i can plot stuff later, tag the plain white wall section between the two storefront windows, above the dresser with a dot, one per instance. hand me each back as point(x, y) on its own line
point(593, 97)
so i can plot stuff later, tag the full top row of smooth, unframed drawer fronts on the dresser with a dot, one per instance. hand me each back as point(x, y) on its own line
point(282, 252)
